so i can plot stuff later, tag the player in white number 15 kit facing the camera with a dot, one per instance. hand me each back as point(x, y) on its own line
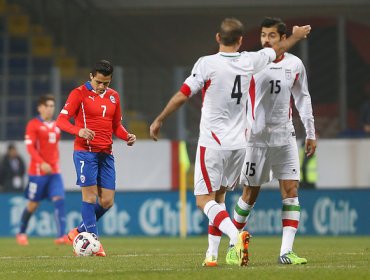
point(272, 146)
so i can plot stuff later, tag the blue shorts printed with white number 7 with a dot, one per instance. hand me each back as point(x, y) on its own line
point(95, 169)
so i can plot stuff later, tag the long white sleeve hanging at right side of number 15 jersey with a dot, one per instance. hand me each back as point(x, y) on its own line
point(302, 100)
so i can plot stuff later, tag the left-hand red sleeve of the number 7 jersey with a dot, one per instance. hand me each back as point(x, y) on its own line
point(70, 110)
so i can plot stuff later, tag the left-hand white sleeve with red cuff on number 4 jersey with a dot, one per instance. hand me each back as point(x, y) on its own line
point(197, 79)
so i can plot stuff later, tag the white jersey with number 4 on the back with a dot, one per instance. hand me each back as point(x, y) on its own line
point(224, 79)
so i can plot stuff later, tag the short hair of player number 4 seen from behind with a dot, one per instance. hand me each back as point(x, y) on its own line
point(231, 30)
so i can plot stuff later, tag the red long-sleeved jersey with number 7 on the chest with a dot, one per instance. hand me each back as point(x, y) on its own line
point(99, 112)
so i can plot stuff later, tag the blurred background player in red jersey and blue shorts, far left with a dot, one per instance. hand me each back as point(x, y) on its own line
point(45, 181)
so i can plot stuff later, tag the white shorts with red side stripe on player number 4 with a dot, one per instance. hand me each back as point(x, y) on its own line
point(216, 168)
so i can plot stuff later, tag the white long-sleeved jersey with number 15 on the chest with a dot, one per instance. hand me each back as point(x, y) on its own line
point(272, 92)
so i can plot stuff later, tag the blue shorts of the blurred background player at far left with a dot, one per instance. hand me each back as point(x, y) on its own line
point(47, 186)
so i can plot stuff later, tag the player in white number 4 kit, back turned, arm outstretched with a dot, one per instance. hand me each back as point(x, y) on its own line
point(224, 80)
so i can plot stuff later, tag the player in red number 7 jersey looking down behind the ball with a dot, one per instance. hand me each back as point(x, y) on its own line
point(96, 110)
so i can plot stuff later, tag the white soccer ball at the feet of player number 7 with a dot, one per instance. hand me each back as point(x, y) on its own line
point(86, 244)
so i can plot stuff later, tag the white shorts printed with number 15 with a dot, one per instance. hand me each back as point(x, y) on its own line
point(262, 164)
